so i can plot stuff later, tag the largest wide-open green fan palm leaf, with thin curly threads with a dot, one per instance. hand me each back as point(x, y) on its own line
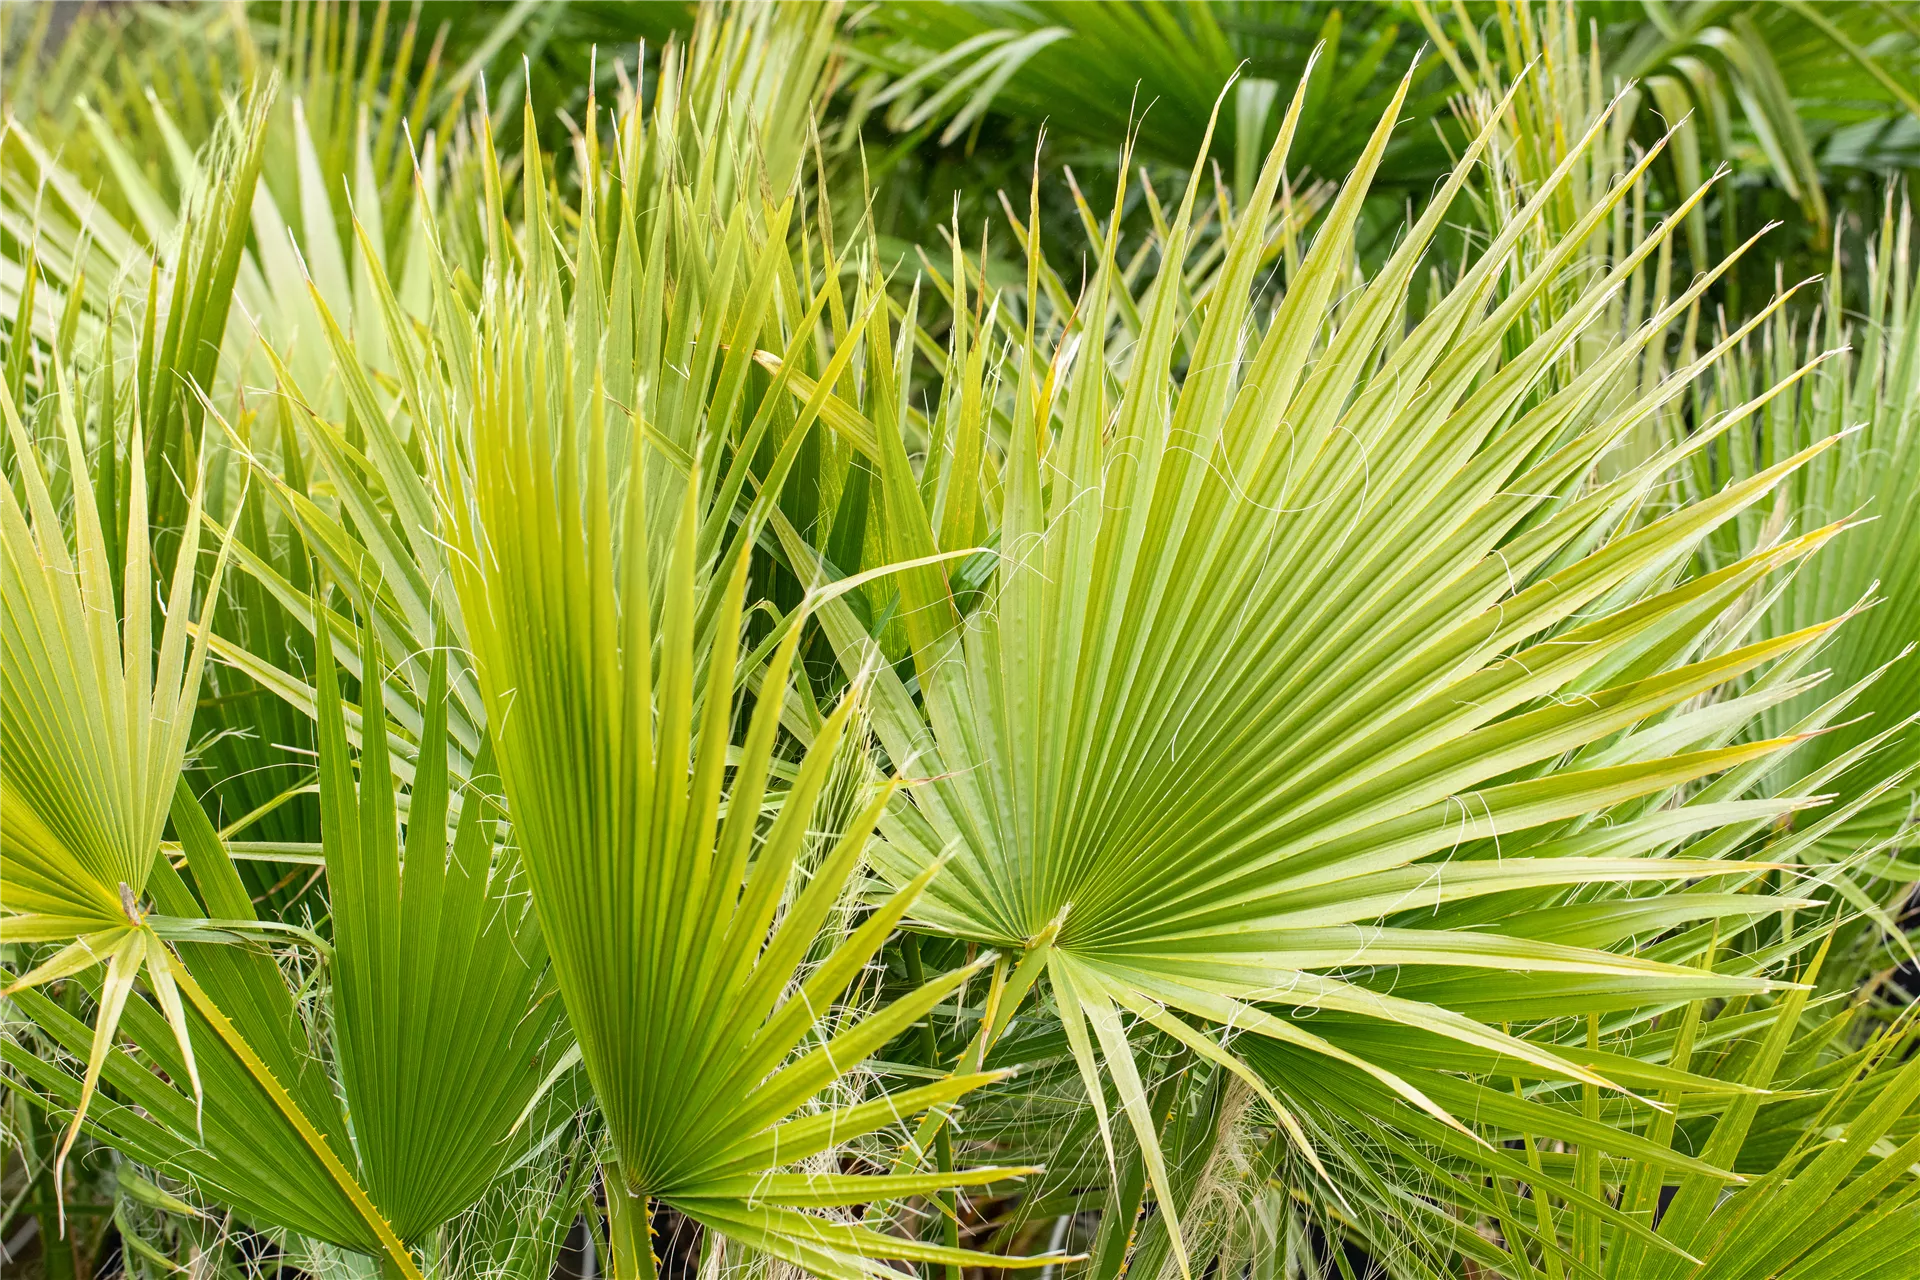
point(1330, 615)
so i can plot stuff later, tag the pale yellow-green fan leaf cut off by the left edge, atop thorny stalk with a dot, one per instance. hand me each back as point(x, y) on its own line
point(97, 730)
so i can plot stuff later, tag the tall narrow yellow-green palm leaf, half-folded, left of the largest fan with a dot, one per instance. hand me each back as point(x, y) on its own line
point(660, 889)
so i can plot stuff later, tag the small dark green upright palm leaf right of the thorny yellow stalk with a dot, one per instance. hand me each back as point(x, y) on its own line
point(437, 972)
